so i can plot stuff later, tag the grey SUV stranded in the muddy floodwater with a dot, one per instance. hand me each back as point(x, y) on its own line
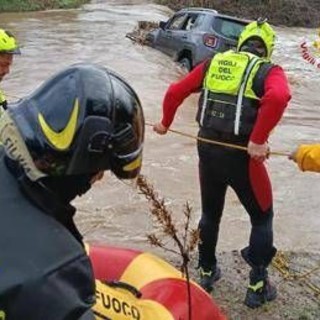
point(194, 34)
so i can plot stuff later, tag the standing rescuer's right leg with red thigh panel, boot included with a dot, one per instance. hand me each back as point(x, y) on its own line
point(253, 188)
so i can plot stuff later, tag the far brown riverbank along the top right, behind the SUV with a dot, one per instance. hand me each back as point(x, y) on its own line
point(290, 13)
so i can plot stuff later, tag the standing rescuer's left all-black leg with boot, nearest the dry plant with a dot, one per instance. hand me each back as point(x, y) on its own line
point(213, 193)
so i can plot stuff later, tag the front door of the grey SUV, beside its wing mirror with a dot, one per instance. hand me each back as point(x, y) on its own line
point(169, 34)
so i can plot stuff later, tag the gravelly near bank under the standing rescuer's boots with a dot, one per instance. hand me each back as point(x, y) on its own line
point(297, 283)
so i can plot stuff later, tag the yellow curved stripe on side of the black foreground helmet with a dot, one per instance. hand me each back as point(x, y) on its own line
point(61, 140)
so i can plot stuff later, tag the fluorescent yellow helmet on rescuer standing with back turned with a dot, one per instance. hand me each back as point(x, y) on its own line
point(261, 30)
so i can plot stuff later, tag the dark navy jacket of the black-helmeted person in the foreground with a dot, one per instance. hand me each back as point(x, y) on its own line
point(44, 271)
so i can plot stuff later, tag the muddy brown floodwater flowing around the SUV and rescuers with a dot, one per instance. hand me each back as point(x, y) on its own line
point(113, 211)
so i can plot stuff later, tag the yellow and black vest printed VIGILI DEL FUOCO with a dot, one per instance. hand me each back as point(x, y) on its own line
point(231, 94)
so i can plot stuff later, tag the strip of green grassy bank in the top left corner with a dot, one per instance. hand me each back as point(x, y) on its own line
point(33, 5)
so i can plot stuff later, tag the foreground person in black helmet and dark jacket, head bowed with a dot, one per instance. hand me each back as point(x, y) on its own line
point(56, 144)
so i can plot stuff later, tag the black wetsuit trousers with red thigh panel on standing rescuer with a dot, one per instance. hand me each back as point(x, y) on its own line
point(220, 167)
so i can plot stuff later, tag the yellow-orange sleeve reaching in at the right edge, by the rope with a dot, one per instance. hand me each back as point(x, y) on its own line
point(308, 157)
